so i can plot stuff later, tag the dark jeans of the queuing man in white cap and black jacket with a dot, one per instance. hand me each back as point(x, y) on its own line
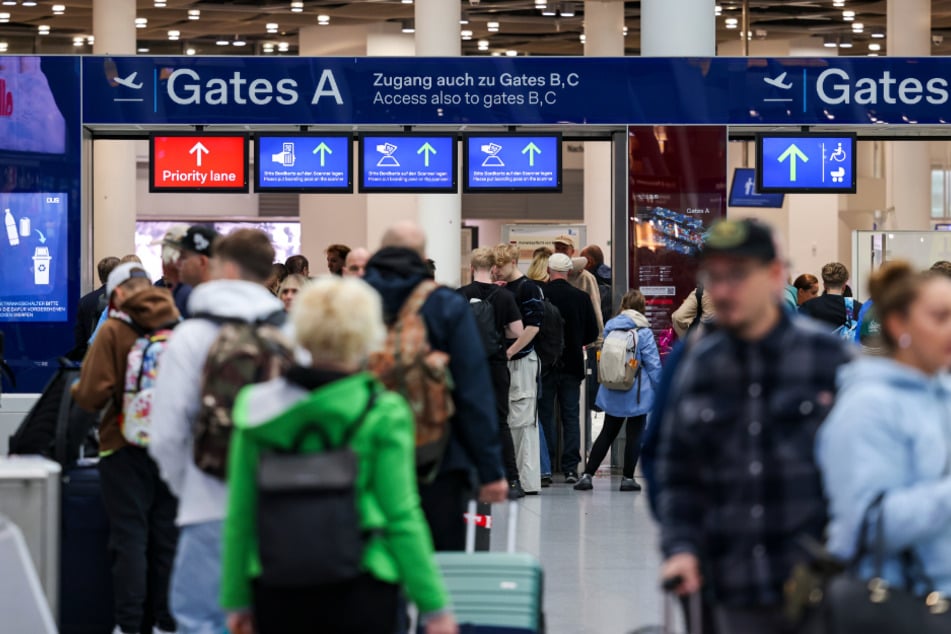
point(566, 388)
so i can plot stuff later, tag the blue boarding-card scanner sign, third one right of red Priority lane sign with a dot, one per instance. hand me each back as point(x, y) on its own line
point(501, 163)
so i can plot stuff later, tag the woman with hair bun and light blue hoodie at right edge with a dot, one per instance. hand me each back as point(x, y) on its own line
point(890, 433)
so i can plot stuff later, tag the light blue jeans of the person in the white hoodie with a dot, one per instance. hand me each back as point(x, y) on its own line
point(196, 580)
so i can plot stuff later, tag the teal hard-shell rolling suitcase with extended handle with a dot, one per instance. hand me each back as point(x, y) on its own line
point(494, 593)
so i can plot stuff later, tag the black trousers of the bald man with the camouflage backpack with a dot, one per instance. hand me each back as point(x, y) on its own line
point(444, 502)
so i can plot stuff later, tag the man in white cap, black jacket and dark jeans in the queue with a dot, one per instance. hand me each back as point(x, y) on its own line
point(564, 381)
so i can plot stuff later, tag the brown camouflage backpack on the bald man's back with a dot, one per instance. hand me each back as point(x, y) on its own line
point(409, 366)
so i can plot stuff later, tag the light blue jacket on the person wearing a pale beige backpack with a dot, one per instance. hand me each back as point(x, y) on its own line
point(623, 404)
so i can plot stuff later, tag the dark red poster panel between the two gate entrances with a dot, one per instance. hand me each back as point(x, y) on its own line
point(677, 189)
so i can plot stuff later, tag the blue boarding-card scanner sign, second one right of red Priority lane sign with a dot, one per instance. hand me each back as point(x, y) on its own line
point(408, 163)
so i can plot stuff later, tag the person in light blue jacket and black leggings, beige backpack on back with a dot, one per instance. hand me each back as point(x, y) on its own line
point(631, 405)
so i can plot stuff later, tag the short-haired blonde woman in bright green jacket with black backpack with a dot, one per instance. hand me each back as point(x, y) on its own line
point(339, 321)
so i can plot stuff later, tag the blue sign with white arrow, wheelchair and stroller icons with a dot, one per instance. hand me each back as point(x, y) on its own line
point(804, 163)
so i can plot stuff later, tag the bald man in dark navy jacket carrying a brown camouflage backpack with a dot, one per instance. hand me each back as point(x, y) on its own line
point(473, 449)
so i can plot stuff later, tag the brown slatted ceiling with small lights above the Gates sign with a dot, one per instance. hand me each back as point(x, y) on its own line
point(529, 27)
